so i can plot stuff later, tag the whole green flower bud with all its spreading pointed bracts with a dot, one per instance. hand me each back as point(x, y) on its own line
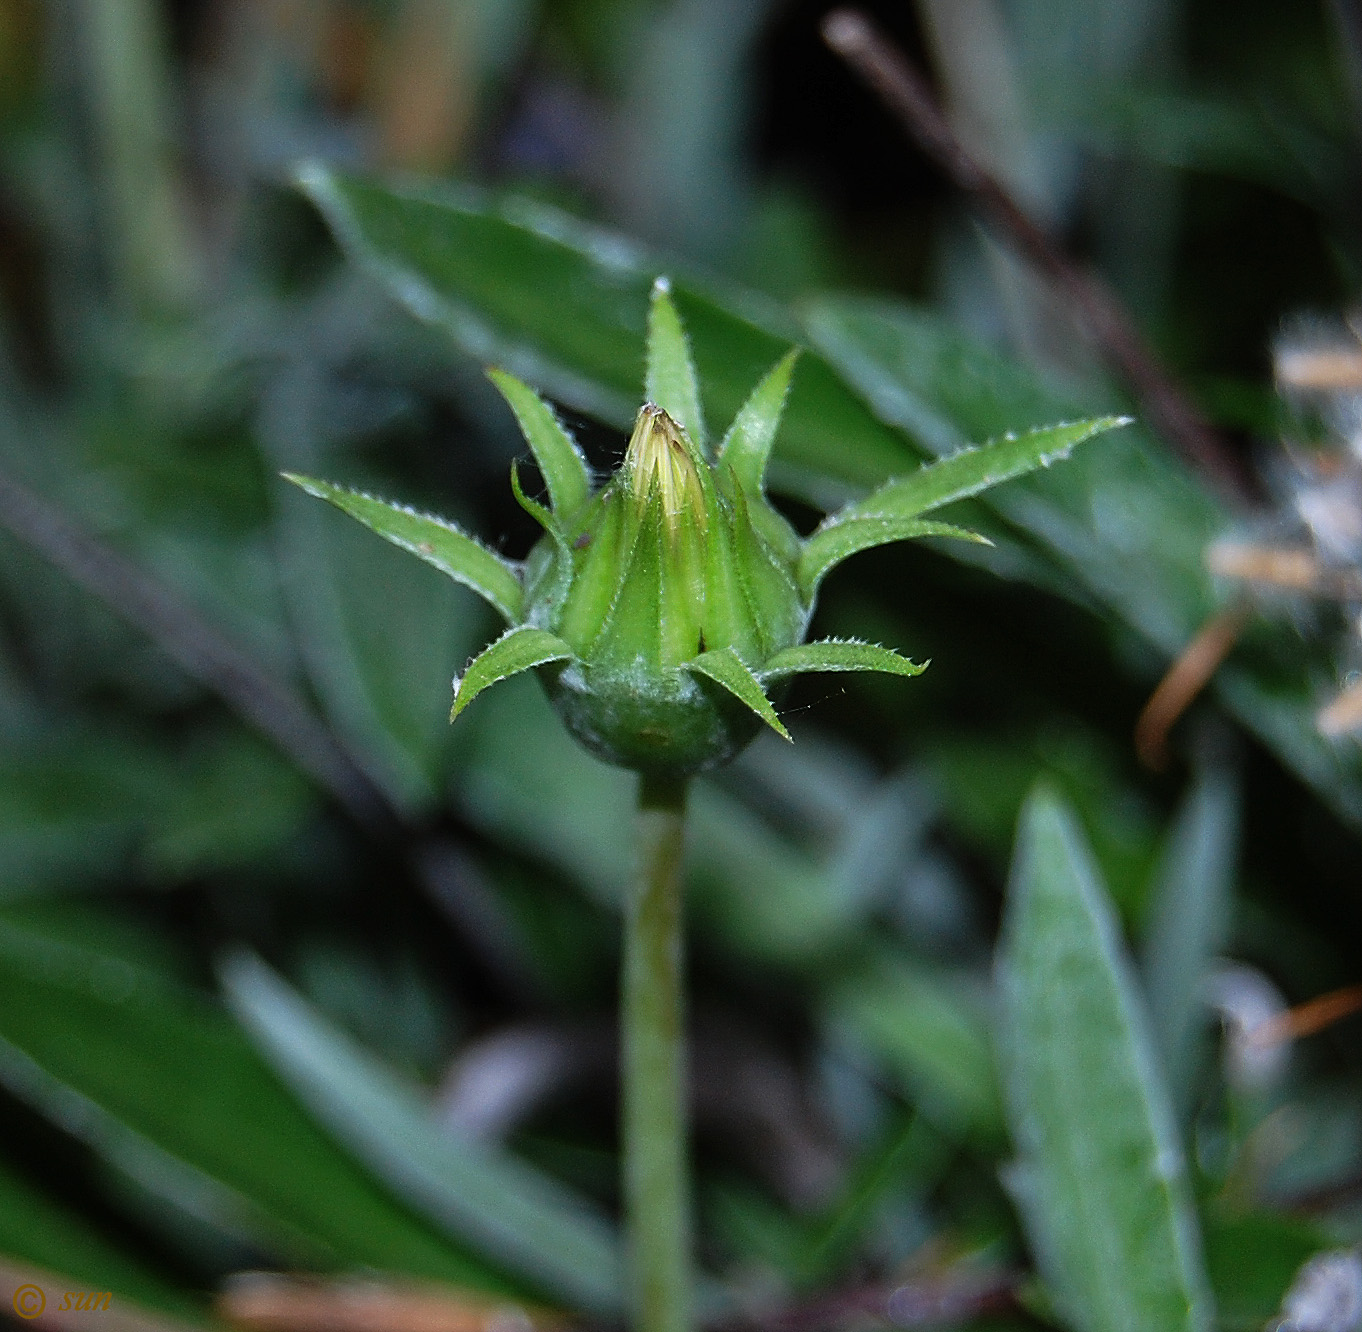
point(661, 609)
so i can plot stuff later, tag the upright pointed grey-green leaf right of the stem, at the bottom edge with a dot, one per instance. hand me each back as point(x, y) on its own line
point(1101, 1180)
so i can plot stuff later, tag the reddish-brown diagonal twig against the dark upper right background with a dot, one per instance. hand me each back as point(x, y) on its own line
point(871, 54)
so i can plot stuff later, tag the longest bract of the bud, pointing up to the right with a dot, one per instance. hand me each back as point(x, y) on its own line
point(977, 469)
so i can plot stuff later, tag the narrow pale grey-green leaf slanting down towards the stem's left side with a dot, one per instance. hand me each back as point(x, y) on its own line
point(518, 1218)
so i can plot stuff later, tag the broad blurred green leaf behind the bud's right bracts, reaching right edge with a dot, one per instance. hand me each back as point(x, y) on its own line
point(1124, 528)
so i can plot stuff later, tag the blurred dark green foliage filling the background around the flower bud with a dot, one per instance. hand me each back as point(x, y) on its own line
point(223, 710)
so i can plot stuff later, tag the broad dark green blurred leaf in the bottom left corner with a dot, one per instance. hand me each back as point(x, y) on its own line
point(165, 1088)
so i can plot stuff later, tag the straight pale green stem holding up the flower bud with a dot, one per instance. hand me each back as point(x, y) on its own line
point(656, 1179)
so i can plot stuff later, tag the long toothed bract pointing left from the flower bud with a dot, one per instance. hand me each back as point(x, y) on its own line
point(434, 540)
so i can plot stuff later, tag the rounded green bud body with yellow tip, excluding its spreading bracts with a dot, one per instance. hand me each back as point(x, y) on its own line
point(665, 566)
